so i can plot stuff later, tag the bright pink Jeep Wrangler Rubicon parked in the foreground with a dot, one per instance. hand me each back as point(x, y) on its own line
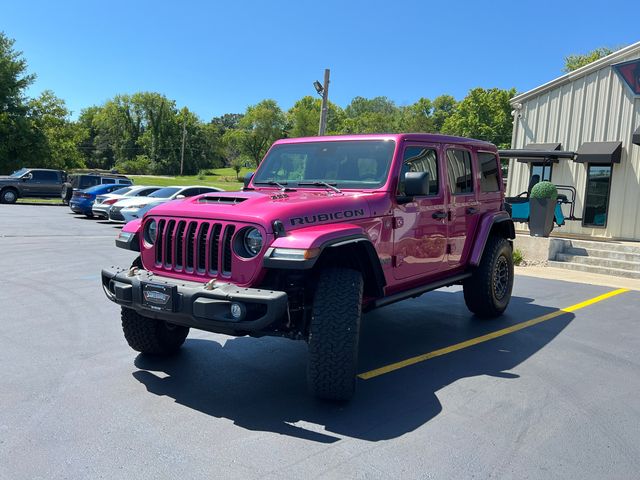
point(326, 229)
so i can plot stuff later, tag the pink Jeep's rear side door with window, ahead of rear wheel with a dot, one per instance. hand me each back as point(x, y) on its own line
point(464, 208)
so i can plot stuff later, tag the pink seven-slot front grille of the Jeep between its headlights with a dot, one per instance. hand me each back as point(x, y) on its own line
point(194, 246)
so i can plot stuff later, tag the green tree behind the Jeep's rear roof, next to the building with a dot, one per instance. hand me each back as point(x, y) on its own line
point(483, 114)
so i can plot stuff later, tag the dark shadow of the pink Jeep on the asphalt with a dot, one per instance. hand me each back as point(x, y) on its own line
point(258, 384)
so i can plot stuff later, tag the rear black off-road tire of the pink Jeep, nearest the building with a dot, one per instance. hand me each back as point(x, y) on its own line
point(488, 291)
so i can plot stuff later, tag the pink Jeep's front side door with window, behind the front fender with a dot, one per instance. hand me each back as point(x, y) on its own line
point(420, 223)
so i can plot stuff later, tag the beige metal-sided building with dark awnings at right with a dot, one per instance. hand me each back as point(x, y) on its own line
point(594, 111)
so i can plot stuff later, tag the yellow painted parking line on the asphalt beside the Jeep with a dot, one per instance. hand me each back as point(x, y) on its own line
point(489, 336)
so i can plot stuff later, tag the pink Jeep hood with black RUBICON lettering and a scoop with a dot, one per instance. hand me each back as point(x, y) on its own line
point(294, 209)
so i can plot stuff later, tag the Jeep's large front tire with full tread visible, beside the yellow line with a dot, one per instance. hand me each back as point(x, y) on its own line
point(334, 331)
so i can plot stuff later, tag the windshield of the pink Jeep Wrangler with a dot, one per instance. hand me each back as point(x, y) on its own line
point(344, 164)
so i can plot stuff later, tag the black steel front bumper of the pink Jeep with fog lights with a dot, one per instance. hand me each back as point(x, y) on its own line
point(192, 304)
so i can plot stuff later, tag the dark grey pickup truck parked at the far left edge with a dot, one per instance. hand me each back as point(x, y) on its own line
point(31, 183)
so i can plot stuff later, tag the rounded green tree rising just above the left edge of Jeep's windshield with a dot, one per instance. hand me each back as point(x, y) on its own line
point(262, 124)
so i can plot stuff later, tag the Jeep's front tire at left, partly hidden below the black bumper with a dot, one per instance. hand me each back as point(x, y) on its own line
point(151, 336)
